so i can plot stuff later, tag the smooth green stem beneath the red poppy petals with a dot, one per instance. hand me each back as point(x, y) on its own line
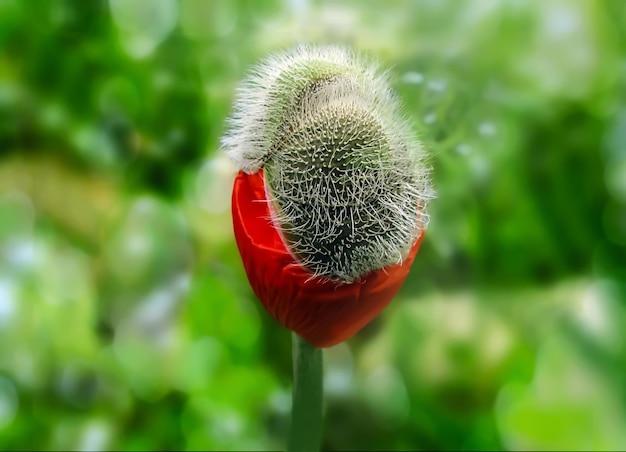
point(306, 409)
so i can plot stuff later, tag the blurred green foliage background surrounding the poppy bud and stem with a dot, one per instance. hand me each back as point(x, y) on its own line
point(126, 321)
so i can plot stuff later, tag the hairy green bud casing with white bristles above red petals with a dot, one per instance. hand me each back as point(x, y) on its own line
point(343, 167)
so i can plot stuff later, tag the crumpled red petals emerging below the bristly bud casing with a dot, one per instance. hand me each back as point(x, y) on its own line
point(321, 311)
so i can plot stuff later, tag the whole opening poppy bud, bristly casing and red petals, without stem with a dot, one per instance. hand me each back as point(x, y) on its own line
point(329, 204)
